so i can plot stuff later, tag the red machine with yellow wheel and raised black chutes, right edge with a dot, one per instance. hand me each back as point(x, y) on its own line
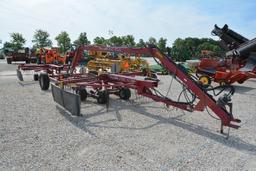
point(239, 64)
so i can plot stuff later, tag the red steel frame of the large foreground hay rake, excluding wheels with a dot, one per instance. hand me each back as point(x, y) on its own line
point(143, 87)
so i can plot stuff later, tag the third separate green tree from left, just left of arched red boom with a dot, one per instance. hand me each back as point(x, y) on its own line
point(64, 42)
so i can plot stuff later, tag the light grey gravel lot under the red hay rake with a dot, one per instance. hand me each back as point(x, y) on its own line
point(139, 134)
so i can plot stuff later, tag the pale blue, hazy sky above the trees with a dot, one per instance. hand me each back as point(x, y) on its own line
point(142, 18)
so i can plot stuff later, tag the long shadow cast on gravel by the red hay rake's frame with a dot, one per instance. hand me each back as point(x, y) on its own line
point(83, 123)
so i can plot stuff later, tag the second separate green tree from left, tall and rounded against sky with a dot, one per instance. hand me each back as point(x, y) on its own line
point(41, 39)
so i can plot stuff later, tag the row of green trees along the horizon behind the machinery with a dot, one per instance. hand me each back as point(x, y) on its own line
point(181, 50)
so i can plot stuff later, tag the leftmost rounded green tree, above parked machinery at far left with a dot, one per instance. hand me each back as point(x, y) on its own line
point(17, 42)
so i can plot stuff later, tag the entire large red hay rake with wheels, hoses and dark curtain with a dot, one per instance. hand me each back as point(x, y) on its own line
point(70, 88)
